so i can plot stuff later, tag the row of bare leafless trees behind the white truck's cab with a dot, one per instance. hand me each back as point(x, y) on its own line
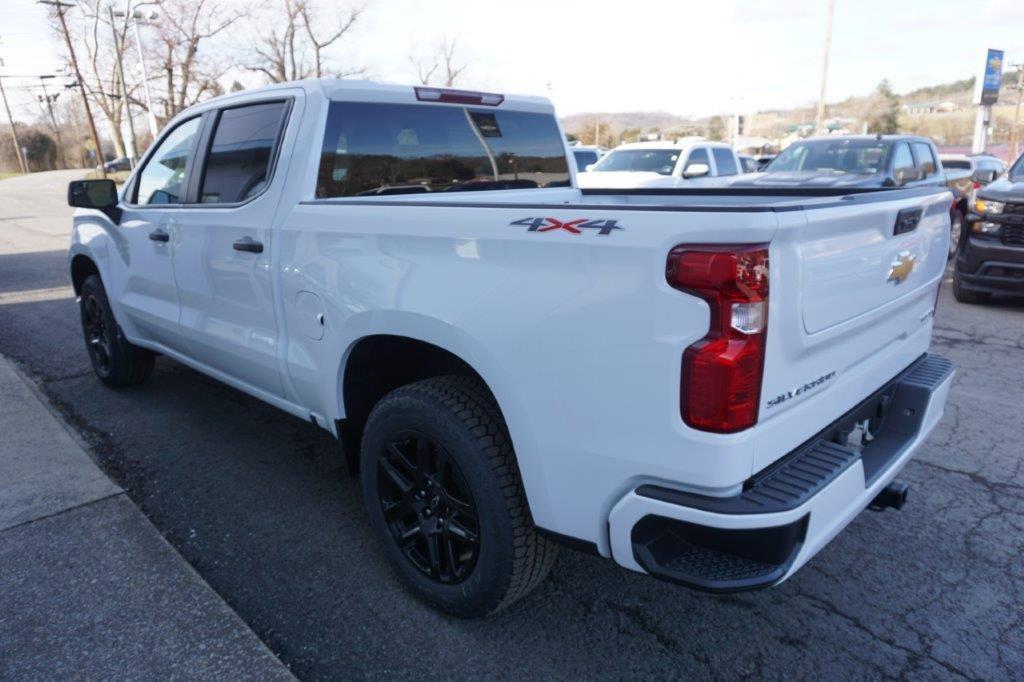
point(143, 63)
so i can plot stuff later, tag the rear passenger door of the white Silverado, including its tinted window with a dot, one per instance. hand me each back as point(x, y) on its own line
point(223, 244)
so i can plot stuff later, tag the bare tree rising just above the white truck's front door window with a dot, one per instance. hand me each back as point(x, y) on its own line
point(190, 75)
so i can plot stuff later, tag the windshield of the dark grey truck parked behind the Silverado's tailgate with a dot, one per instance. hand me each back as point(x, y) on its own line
point(865, 157)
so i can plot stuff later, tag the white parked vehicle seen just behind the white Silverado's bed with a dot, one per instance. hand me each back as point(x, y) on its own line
point(638, 164)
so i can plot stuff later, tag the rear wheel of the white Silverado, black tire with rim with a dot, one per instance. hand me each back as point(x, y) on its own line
point(443, 490)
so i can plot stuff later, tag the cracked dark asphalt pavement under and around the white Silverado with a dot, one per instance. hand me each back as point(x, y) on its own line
point(254, 501)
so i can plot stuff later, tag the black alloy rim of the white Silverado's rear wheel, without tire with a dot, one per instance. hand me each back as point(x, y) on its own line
point(429, 507)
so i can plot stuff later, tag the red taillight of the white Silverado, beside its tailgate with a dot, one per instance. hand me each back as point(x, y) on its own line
point(721, 380)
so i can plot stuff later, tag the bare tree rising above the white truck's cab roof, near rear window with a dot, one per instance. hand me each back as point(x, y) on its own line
point(294, 52)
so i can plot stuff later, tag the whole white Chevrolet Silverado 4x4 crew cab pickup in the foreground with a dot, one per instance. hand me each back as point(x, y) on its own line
point(704, 386)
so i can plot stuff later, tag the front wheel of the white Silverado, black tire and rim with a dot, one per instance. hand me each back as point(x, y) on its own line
point(116, 362)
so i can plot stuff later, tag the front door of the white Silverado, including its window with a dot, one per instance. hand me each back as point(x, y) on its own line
point(148, 295)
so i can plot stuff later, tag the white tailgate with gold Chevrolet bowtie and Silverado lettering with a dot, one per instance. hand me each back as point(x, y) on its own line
point(854, 290)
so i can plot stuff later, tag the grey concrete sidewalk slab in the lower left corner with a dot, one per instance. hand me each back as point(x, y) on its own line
point(89, 587)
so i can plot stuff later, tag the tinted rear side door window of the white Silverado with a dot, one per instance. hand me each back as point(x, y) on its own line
point(241, 153)
